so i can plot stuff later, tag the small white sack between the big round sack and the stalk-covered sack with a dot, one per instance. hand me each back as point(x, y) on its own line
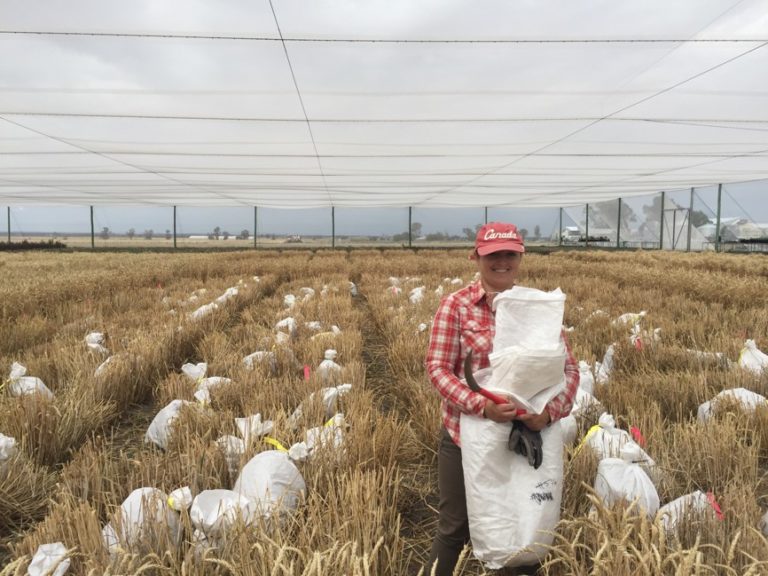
point(213, 512)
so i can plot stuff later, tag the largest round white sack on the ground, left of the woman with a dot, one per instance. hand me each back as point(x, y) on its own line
point(273, 482)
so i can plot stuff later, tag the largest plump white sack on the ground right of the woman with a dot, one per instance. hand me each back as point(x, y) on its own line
point(622, 479)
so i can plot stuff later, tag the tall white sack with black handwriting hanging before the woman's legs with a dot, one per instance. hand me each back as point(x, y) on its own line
point(512, 507)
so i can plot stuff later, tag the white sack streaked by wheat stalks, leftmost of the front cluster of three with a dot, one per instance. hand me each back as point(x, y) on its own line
point(143, 518)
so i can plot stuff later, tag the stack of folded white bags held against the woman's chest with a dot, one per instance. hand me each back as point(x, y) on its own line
point(529, 354)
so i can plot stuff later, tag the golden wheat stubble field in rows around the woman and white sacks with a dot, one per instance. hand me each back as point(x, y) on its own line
point(369, 507)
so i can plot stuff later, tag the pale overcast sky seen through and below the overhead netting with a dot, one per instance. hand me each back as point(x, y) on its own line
point(519, 106)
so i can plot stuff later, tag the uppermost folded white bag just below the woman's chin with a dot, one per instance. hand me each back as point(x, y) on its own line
point(528, 317)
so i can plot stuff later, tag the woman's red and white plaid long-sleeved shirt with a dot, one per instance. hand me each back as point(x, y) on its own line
point(464, 321)
